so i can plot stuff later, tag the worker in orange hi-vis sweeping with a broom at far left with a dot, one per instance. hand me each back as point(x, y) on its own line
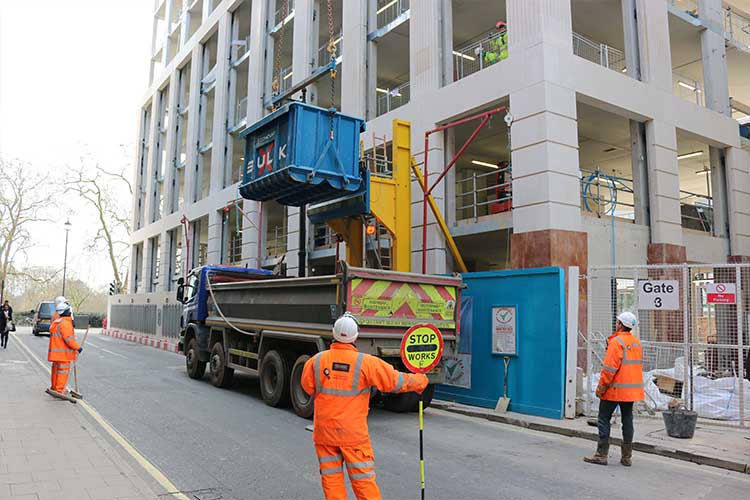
point(63, 347)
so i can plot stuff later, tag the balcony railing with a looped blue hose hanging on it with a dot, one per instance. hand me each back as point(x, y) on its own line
point(605, 195)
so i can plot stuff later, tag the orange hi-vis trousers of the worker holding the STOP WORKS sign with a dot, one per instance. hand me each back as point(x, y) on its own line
point(360, 464)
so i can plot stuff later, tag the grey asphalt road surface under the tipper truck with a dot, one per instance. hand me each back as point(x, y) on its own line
point(227, 444)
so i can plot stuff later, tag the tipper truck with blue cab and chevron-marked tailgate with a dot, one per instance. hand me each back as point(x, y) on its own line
point(252, 321)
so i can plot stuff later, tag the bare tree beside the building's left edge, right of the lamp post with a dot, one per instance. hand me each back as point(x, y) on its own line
point(108, 193)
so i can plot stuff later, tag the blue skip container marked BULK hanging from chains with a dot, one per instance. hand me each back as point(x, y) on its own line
point(290, 158)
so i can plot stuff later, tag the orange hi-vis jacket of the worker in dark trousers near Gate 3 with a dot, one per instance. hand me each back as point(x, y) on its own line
point(622, 373)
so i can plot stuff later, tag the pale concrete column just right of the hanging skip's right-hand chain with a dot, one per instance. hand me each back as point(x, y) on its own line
point(355, 69)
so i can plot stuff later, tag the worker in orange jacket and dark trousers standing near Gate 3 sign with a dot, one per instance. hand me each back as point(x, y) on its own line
point(620, 384)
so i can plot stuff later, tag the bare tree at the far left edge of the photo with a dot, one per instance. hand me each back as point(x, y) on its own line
point(22, 200)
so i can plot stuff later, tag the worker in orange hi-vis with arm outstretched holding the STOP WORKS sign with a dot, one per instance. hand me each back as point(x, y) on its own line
point(340, 380)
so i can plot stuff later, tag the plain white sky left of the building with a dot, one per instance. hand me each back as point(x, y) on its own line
point(72, 77)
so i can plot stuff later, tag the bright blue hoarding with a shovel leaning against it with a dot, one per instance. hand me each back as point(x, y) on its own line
point(536, 380)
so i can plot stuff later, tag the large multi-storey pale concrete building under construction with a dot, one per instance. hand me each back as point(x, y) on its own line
point(628, 139)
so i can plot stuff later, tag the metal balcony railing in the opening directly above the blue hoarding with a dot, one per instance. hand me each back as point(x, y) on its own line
point(484, 194)
